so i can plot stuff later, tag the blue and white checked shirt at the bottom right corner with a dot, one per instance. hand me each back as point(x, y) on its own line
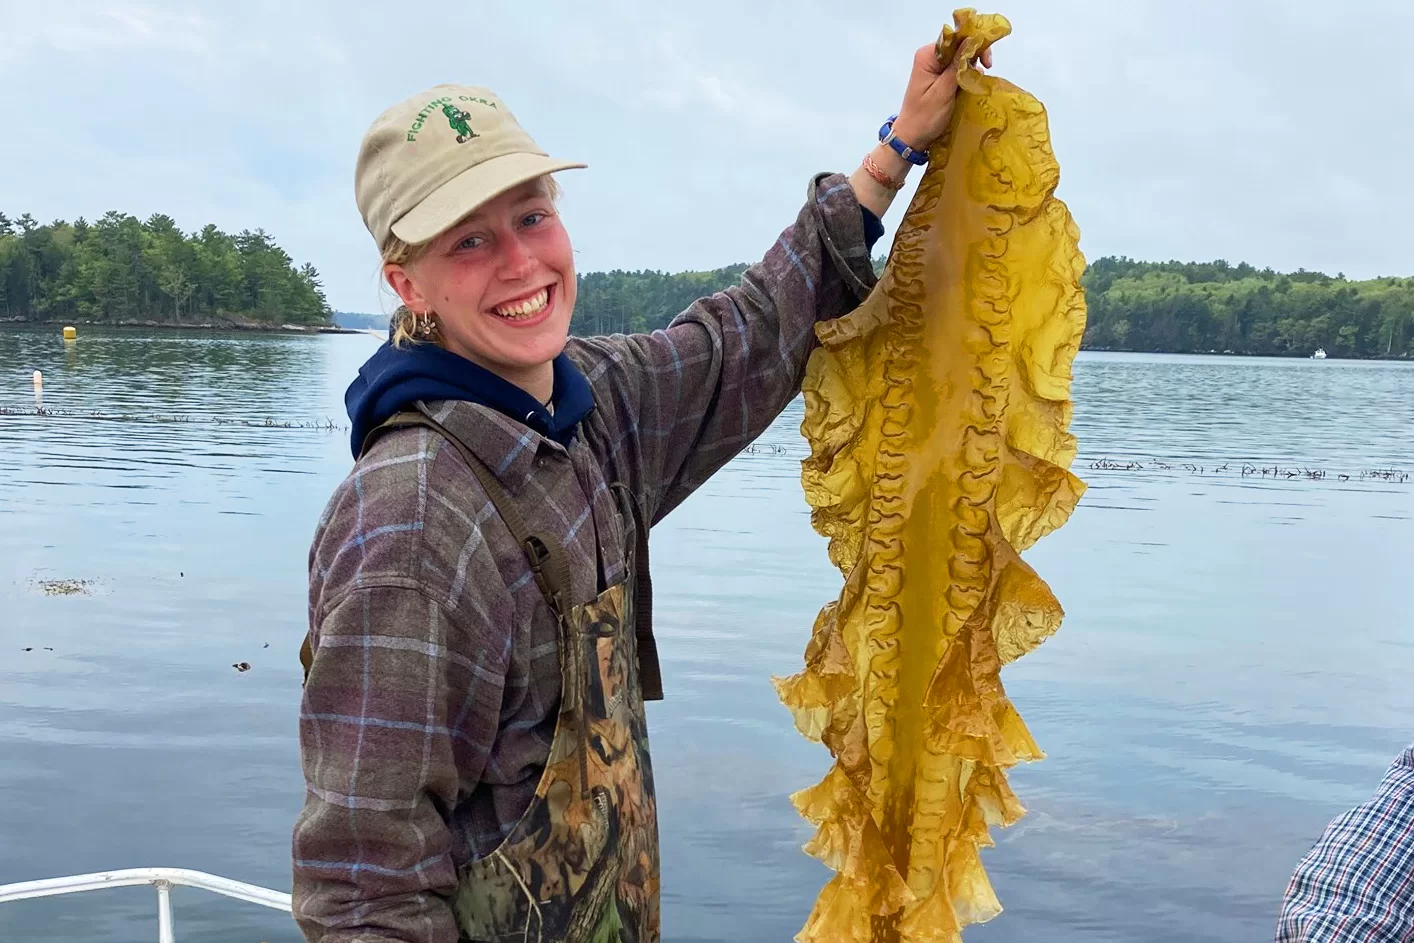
point(1357, 886)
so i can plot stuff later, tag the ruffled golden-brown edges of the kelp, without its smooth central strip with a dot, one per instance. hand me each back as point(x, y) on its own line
point(855, 422)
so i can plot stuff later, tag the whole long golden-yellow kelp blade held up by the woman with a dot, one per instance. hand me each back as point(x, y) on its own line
point(938, 421)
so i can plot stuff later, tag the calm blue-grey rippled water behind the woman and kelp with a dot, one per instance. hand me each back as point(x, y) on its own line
point(1234, 669)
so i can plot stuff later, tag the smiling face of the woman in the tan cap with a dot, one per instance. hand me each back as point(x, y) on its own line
point(501, 283)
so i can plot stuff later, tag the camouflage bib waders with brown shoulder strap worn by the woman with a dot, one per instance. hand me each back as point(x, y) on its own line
point(582, 865)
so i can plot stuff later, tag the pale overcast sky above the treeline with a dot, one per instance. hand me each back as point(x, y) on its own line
point(1273, 132)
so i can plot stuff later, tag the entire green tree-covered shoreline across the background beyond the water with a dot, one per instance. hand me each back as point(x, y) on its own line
point(124, 271)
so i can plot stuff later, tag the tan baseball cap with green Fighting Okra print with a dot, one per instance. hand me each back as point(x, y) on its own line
point(433, 159)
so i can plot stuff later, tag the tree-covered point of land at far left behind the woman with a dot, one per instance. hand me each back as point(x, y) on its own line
point(124, 271)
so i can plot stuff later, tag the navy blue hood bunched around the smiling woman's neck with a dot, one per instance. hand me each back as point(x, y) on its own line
point(395, 378)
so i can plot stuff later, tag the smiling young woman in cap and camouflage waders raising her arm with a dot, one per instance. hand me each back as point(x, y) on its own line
point(473, 726)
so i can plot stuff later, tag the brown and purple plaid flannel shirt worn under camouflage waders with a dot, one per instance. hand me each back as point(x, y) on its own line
point(435, 682)
